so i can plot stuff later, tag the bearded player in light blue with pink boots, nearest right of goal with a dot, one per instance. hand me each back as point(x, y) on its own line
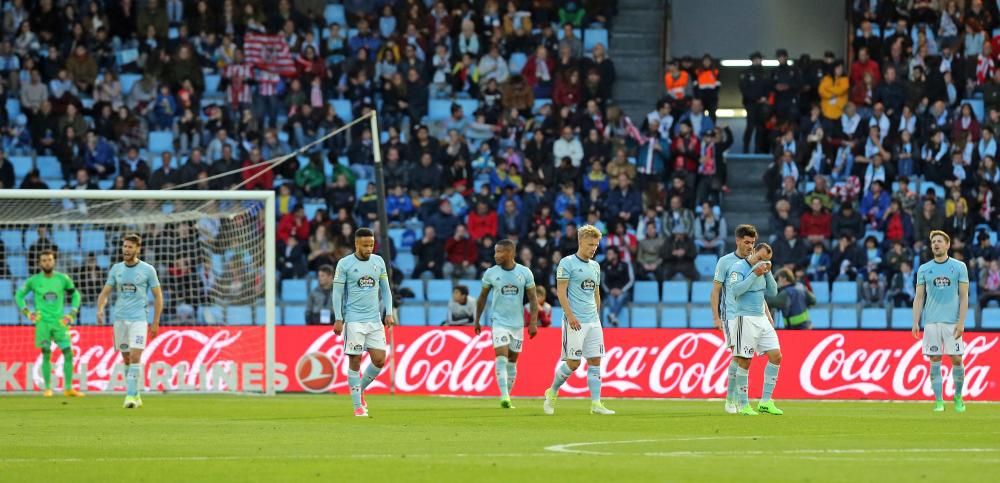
point(359, 279)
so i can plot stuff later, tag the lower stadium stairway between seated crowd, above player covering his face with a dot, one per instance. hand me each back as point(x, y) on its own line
point(747, 200)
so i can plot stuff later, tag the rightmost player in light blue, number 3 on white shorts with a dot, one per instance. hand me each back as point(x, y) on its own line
point(941, 302)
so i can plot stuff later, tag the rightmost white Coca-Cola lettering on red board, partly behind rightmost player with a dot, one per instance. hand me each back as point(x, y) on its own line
point(830, 369)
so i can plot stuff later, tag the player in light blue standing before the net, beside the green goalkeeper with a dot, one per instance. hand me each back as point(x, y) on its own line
point(130, 280)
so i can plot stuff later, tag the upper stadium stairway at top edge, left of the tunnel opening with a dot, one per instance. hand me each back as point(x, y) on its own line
point(635, 49)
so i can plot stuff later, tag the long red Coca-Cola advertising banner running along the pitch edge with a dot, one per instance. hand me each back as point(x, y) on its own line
point(655, 363)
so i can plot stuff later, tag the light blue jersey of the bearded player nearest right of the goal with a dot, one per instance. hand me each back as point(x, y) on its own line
point(356, 287)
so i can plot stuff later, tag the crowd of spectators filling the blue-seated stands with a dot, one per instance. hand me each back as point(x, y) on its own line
point(530, 143)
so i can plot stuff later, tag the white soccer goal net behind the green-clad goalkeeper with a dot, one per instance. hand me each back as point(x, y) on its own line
point(214, 256)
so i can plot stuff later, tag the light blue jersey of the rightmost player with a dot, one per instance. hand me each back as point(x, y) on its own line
point(941, 284)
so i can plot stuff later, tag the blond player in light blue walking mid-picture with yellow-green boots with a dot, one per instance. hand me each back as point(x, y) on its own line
point(578, 282)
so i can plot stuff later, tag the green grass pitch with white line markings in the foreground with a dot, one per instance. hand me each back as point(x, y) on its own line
point(317, 438)
